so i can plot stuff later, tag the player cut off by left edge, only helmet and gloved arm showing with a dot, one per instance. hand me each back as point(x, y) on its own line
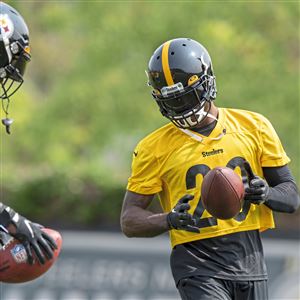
point(14, 56)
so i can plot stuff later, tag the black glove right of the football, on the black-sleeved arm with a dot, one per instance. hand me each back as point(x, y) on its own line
point(257, 191)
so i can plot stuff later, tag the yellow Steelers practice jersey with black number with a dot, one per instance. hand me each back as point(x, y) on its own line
point(172, 162)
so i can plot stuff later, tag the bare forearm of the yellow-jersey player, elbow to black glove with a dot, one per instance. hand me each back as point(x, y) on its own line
point(142, 223)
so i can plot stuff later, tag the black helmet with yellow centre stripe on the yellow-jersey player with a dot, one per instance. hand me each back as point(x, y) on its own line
point(181, 74)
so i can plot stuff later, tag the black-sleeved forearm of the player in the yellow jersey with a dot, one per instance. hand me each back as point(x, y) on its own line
point(284, 198)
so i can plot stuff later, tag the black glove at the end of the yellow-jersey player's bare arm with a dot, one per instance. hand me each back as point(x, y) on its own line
point(179, 218)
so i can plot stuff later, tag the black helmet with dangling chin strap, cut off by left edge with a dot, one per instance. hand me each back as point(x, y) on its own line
point(14, 53)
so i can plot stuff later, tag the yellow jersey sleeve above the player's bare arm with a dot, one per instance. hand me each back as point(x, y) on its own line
point(144, 177)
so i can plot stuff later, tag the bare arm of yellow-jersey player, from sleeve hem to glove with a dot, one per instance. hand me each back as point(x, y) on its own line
point(137, 221)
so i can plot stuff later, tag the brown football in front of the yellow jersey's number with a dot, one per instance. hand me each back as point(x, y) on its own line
point(222, 193)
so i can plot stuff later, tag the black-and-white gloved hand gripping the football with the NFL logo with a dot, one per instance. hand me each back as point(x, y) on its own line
point(33, 238)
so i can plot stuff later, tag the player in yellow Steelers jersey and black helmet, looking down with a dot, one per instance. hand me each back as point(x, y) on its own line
point(211, 258)
